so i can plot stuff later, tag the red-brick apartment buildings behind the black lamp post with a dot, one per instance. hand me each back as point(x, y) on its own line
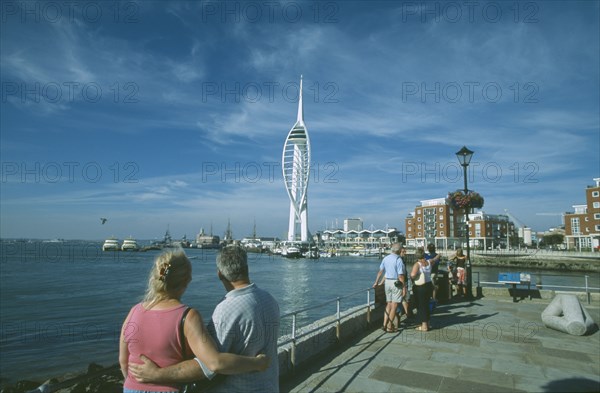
point(435, 221)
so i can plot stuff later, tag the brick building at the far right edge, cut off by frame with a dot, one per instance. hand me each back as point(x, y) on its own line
point(582, 226)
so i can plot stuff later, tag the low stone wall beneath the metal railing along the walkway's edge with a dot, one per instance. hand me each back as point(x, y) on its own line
point(316, 338)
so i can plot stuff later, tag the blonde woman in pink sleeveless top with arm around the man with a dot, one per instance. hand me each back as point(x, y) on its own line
point(152, 328)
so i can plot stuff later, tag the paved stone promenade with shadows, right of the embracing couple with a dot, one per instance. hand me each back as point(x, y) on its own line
point(489, 345)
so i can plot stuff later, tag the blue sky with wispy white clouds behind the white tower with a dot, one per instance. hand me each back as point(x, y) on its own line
point(173, 115)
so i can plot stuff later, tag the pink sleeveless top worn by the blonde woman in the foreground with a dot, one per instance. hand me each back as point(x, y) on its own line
point(155, 334)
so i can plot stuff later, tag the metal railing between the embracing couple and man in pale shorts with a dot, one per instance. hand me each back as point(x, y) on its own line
point(297, 333)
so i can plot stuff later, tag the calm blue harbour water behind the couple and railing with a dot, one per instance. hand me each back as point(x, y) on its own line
point(62, 304)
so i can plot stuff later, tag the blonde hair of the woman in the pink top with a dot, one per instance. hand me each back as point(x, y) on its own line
point(170, 275)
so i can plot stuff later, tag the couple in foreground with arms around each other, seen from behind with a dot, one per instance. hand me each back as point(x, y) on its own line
point(160, 330)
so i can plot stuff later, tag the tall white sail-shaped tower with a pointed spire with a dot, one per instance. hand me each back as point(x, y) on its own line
point(296, 170)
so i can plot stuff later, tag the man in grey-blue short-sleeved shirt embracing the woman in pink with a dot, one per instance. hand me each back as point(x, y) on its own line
point(245, 322)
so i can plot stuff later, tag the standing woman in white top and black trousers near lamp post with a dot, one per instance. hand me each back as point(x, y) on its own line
point(422, 288)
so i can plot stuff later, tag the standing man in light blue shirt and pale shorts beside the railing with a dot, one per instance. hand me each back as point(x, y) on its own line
point(391, 270)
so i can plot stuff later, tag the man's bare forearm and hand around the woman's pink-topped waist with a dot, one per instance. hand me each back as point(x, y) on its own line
point(149, 372)
